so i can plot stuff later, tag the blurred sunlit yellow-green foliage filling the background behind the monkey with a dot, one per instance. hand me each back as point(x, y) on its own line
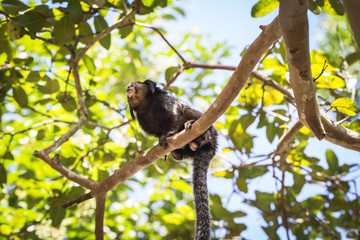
point(38, 104)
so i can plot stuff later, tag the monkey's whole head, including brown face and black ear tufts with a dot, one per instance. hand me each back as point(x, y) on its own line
point(138, 94)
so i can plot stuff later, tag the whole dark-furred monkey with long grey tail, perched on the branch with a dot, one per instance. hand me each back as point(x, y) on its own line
point(161, 115)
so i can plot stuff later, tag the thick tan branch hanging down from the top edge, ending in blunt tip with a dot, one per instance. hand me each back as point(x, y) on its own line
point(294, 25)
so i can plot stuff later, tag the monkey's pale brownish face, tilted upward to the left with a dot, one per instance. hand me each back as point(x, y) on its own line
point(136, 93)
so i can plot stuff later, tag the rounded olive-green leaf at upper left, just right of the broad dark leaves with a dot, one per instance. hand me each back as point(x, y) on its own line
point(64, 30)
